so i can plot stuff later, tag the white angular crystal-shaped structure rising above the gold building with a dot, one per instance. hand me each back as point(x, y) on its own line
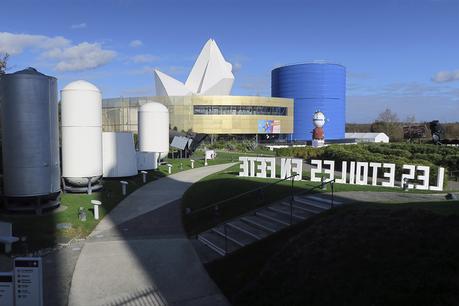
point(210, 76)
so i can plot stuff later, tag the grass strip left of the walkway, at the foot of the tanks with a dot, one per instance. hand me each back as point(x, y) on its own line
point(63, 225)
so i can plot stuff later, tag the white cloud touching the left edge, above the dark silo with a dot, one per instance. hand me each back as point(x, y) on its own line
point(16, 43)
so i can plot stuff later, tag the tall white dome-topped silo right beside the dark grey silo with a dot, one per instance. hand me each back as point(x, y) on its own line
point(81, 120)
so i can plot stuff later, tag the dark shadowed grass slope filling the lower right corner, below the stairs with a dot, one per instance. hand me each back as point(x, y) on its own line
point(358, 254)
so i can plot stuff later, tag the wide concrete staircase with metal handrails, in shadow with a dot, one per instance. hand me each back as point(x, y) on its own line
point(261, 223)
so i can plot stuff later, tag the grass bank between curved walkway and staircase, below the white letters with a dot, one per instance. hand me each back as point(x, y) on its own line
point(226, 184)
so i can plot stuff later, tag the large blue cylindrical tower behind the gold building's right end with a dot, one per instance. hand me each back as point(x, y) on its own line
point(314, 87)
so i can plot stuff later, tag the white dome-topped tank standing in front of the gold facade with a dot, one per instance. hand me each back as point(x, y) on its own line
point(153, 123)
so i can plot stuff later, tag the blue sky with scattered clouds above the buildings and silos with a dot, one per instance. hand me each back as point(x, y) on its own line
point(403, 54)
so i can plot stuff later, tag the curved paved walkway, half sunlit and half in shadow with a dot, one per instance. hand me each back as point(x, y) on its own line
point(140, 255)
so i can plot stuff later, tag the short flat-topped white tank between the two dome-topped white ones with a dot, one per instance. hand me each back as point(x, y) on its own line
point(119, 156)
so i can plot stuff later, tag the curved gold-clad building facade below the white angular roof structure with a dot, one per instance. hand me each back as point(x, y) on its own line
point(197, 113)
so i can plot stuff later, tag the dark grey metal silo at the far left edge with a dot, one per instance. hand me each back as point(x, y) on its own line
point(31, 177)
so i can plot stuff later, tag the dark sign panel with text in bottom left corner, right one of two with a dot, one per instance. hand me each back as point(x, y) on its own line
point(28, 281)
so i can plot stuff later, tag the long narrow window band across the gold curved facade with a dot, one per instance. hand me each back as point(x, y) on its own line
point(239, 110)
